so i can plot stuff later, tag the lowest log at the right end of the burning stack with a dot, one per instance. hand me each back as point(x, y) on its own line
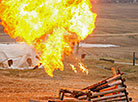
point(108, 97)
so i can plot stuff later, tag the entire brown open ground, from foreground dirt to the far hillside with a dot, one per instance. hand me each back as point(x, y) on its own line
point(23, 85)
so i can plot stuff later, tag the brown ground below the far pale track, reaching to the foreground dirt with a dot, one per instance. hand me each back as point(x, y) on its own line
point(23, 85)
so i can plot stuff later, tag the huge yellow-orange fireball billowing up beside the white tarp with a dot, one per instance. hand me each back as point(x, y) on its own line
point(49, 26)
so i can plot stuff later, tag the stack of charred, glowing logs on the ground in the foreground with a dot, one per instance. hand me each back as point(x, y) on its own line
point(111, 89)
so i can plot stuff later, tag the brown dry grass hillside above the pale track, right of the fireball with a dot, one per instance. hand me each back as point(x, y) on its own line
point(116, 18)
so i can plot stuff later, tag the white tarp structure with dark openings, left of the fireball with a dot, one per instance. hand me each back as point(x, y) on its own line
point(20, 53)
